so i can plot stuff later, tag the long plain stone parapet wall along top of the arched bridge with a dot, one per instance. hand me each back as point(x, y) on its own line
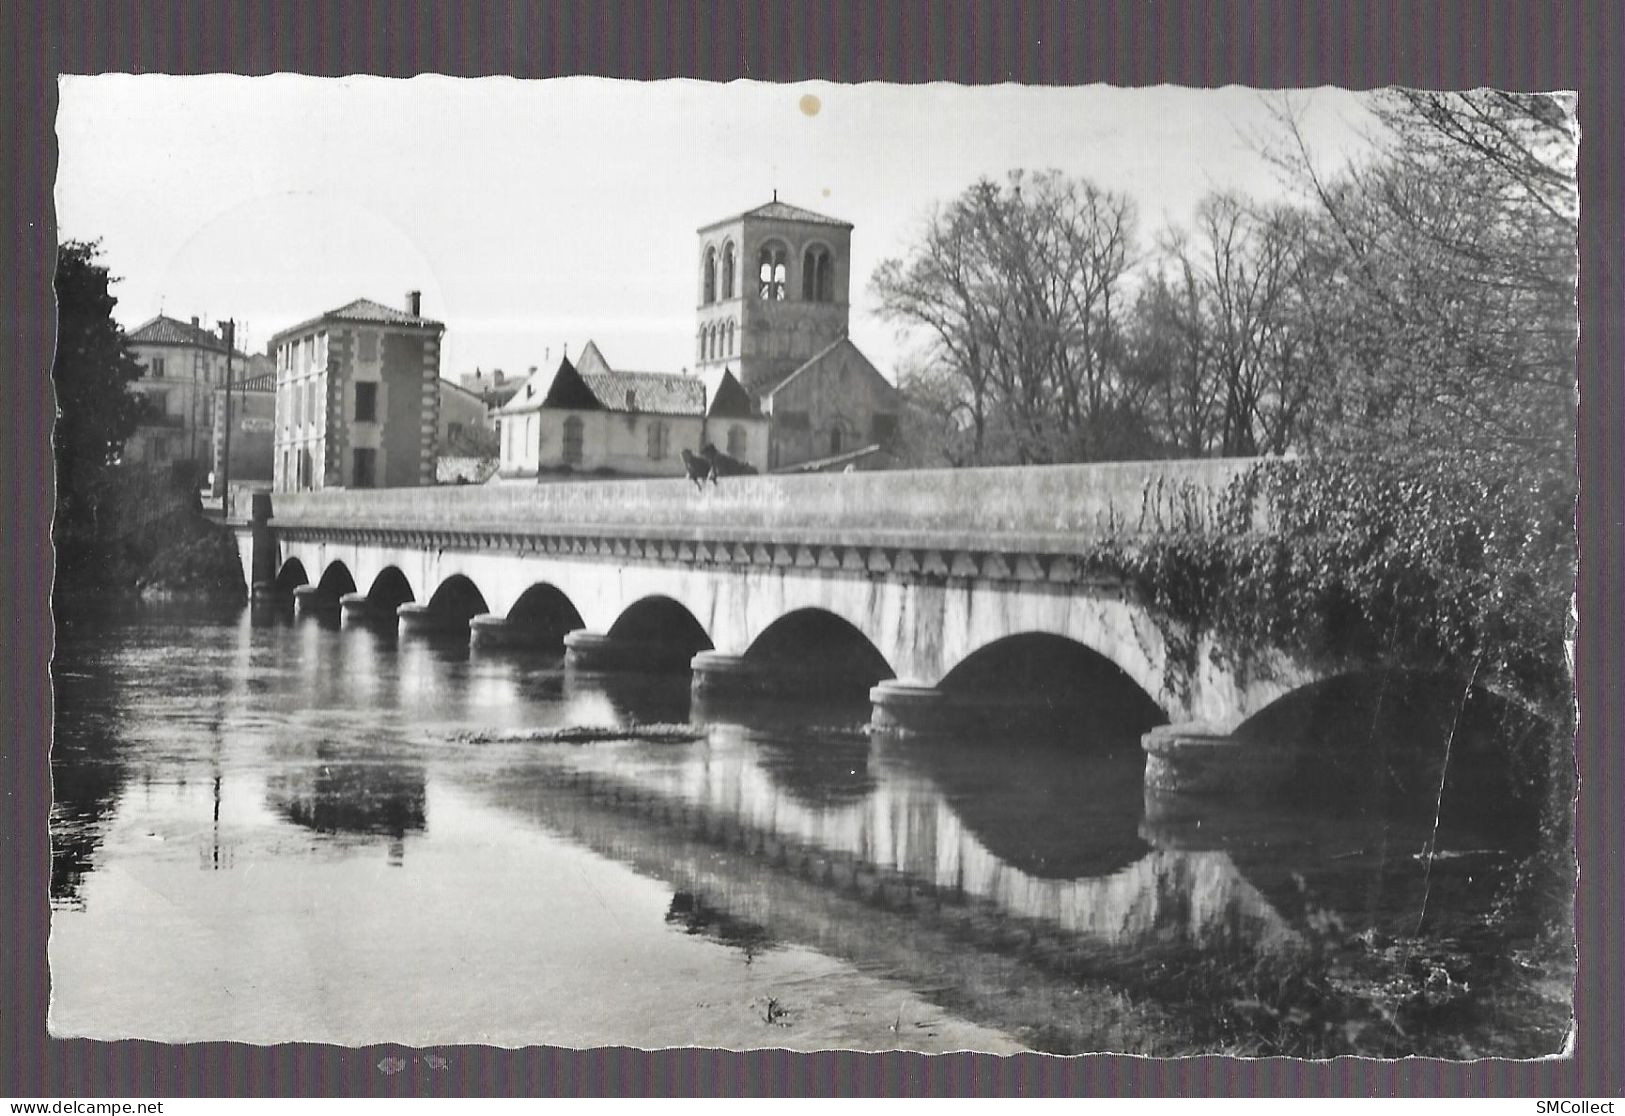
point(1015, 511)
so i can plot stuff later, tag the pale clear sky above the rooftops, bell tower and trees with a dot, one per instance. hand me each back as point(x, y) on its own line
point(539, 215)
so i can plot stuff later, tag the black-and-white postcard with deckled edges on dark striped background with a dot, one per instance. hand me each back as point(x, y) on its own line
point(745, 566)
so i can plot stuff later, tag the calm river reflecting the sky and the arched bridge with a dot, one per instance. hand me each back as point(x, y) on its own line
point(290, 829)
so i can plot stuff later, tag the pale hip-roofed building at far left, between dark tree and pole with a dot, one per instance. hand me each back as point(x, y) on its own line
point(181, 368)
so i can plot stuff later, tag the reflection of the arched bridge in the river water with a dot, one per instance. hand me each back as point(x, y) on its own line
point(862, 854)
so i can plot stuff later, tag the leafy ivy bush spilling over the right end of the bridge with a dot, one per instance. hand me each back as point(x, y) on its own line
point(1415, 563)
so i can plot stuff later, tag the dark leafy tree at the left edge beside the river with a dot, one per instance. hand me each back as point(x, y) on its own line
point(97, 412)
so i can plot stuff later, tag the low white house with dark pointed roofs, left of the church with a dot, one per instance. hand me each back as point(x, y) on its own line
point(591, 418)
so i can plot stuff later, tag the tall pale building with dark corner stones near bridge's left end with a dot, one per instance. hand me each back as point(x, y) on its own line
point(358, 399)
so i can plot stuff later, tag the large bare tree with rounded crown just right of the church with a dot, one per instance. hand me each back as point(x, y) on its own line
point(1020, 292)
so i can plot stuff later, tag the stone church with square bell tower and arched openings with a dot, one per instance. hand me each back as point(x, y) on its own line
point(774, 309)
